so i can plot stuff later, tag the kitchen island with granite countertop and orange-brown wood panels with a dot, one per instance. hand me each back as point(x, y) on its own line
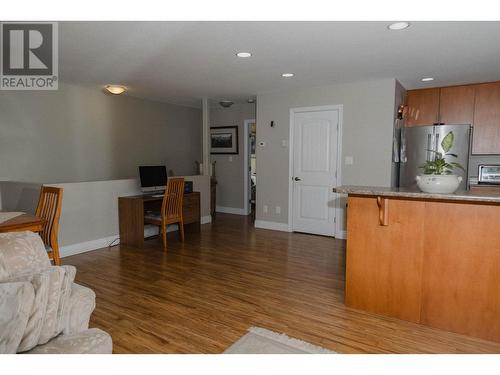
point(432, 259)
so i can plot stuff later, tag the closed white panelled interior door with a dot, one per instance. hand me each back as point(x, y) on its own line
point(314, 171)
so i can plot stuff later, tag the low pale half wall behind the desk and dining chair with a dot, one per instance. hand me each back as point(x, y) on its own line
point(89, 216)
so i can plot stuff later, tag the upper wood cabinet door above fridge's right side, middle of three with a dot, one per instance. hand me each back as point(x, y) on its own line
point(456, 105)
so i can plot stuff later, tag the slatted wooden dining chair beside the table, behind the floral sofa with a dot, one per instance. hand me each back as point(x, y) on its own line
point(49, 208)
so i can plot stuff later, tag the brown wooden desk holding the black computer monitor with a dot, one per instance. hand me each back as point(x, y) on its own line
point(131, 211)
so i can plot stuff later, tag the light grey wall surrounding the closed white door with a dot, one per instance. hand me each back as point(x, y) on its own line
point(368, 109)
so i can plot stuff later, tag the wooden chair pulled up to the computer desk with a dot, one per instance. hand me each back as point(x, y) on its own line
point(171, 210)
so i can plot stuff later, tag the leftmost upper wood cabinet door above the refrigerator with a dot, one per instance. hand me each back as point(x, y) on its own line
point(423, 107)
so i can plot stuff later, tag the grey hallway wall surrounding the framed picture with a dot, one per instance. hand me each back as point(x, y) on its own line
point(230, 174)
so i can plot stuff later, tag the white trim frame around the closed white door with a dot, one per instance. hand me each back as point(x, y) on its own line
point(338, 232)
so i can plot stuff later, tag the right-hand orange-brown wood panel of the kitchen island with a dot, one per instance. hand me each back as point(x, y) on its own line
point(461, 272)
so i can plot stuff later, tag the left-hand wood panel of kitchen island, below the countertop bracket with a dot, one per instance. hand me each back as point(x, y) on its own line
point(384, 263)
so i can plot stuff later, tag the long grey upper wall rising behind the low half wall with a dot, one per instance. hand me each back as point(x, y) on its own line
point(81, 134)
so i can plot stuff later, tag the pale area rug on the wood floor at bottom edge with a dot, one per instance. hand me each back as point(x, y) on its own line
point(262, 341)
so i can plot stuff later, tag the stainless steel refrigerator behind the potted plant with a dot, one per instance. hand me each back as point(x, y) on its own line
point(417, 144)
